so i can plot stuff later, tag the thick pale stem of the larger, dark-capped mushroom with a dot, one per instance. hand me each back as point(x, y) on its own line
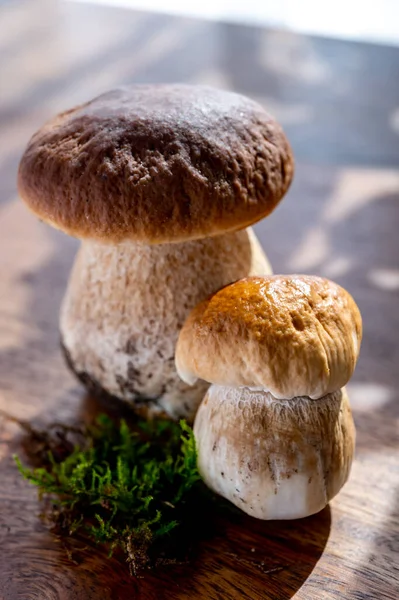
point(125, 305)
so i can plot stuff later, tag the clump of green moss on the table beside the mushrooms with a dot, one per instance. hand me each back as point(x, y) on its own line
point(133, 490)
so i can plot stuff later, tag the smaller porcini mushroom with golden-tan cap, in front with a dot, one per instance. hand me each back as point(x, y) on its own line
point(274, 433)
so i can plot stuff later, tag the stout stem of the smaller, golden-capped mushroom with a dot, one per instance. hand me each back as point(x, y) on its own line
point(274, 459)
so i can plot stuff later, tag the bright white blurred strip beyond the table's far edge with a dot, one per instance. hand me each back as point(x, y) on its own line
point(367, 20)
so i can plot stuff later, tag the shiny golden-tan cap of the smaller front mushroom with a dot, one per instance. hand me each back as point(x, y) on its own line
point(294, 335)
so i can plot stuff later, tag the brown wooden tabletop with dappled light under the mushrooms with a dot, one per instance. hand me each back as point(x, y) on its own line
point(339, 103)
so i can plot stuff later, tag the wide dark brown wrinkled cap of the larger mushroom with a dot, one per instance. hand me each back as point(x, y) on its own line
point(157, 163)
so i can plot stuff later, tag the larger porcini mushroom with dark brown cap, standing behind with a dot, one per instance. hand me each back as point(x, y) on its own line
point(159, 183)
